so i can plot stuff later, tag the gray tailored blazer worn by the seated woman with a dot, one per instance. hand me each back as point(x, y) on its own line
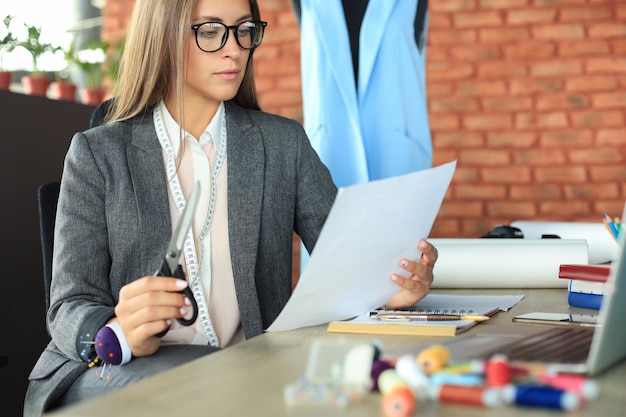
point(113, 226)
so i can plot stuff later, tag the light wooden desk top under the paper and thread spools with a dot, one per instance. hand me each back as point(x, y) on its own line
point(248, 379)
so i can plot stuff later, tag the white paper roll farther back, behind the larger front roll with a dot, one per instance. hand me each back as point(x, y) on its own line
point(602, 247)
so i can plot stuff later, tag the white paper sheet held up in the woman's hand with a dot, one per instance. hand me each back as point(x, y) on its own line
point(369, 228)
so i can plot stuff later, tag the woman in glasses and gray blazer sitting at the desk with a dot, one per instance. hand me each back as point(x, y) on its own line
point(185, 111)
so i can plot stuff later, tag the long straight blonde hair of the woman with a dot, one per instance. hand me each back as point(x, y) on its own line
point(151, 63)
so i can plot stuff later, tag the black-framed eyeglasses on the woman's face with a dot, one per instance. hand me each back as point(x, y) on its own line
point(212, 36)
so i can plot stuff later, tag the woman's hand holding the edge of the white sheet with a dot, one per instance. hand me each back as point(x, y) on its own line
point(416, 286)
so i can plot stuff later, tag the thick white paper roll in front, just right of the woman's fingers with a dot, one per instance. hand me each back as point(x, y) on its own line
point(505, 263)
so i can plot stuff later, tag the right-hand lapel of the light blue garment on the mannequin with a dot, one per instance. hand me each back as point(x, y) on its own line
point(373, 27)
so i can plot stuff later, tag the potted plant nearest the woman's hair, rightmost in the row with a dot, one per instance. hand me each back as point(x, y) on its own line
point(90, 60)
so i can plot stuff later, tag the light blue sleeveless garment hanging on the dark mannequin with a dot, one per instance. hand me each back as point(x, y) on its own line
point(380, 130)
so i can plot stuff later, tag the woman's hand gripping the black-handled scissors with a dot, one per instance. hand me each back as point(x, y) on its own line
point(146, 307)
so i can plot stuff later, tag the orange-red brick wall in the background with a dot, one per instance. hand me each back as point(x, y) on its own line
point(528, 95)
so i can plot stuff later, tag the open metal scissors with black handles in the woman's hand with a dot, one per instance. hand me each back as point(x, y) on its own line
point(170, 266)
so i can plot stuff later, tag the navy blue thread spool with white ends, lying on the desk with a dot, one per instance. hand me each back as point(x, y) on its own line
point(541, 397)
